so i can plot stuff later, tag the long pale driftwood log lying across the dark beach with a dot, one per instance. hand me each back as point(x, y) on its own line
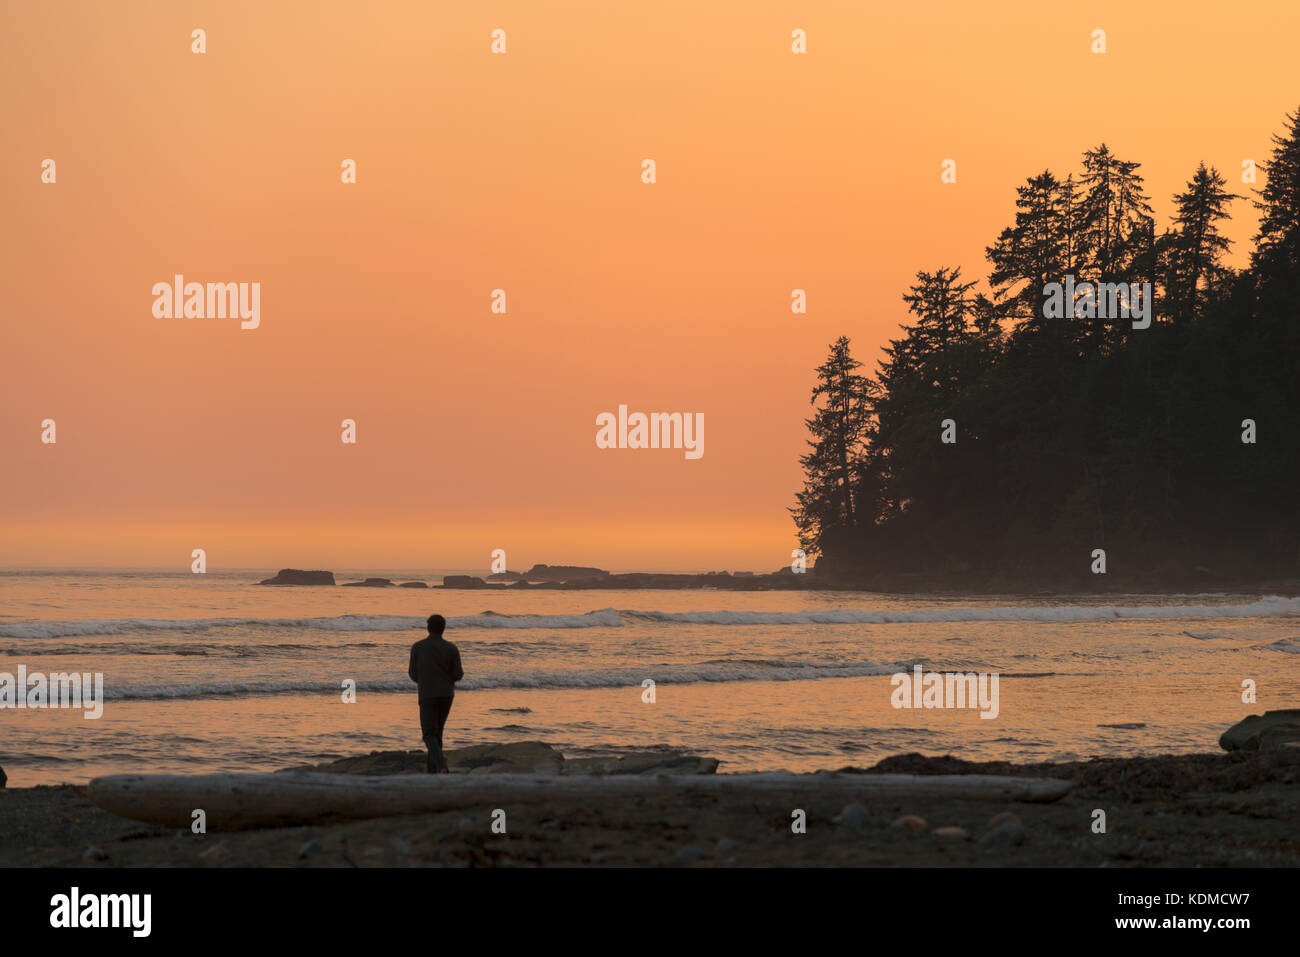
point(240, 802)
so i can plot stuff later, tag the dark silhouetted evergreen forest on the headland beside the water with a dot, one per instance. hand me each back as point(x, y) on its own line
point(1000, 444)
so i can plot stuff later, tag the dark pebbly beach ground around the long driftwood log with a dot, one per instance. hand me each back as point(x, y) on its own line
point(1212, 811)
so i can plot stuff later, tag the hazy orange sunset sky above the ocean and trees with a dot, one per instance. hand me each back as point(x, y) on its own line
point(523, 172)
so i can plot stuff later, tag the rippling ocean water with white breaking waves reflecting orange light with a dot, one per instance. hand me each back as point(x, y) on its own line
point(206, 673)
